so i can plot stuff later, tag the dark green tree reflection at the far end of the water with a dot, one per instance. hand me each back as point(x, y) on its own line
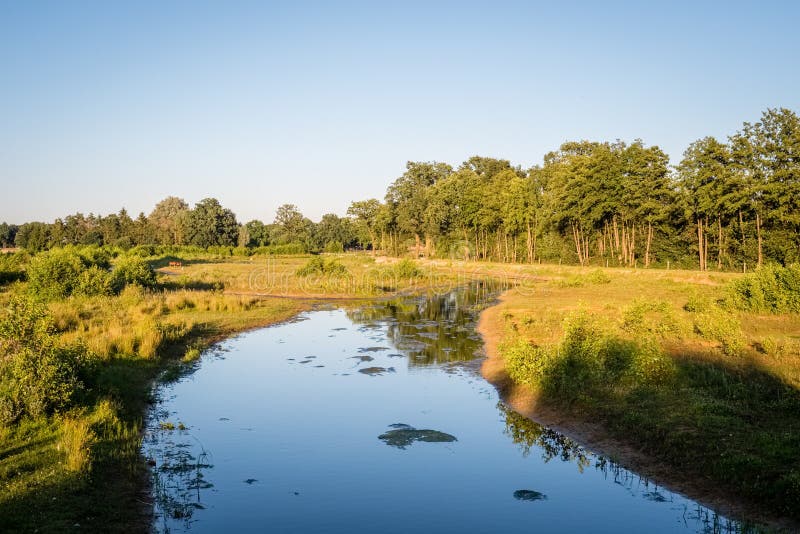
point(432, 329)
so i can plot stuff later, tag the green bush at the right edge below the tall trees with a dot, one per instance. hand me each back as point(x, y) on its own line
point(771, 289)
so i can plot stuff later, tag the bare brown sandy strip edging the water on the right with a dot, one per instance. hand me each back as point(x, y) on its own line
point(594, 436)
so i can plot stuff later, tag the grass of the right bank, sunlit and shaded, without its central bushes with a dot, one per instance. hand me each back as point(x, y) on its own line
point(731, 419)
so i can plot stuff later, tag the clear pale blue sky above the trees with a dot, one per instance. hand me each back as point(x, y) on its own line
point(105, 104)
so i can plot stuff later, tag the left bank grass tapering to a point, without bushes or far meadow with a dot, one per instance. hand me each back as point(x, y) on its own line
point(84, 467)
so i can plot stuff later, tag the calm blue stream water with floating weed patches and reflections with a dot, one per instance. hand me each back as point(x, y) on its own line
point(376, 419)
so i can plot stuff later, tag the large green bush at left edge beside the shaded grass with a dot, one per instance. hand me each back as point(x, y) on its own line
point(37, 376)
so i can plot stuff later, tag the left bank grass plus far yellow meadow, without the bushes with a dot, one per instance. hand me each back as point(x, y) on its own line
point(83, 466)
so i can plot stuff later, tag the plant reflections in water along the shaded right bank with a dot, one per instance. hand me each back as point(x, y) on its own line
point(531, 436)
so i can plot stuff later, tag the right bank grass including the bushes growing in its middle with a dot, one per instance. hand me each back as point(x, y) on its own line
point(663, 361)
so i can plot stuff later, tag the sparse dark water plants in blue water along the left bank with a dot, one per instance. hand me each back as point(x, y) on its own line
point(178, 478)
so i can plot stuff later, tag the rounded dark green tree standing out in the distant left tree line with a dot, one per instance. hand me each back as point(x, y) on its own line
point(209, 224)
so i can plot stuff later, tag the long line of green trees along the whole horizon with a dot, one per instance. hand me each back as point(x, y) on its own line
point(727, 205)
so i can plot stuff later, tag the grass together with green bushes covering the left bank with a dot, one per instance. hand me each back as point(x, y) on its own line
point(78, 355)
